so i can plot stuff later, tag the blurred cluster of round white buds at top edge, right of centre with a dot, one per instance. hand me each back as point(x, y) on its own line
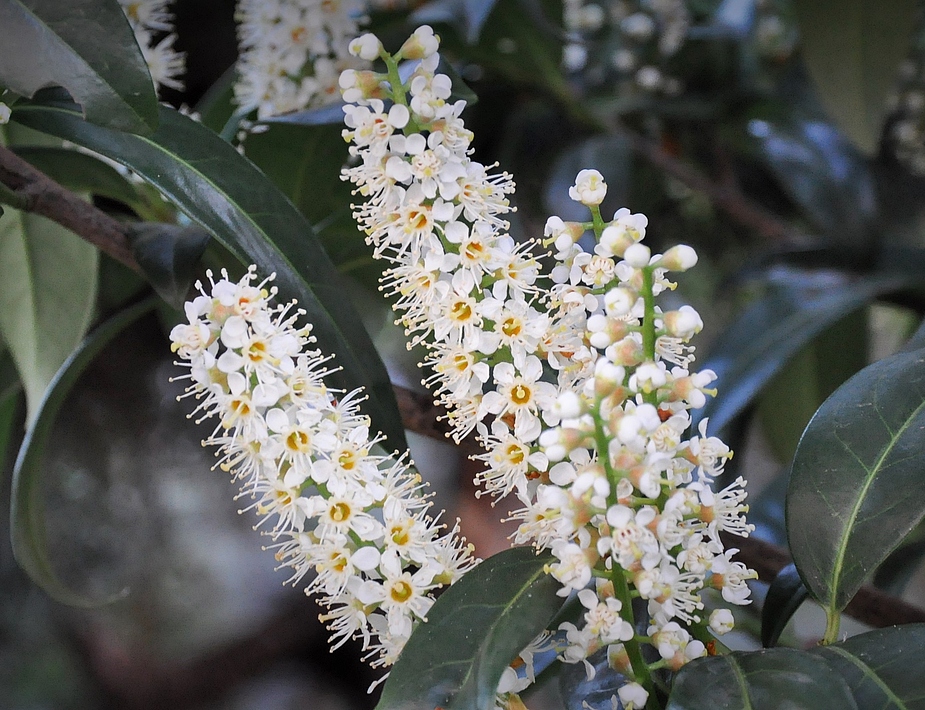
point(637, 37)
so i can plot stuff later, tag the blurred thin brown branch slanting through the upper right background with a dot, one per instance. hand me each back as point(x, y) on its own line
point(724, 195)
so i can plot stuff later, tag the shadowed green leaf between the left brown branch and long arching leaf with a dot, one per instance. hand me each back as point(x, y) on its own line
point(81, 173)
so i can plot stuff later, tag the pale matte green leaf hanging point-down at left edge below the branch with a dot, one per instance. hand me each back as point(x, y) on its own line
point(47, 296)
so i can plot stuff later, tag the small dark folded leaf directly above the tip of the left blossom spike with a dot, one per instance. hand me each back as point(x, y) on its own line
point(169, 254)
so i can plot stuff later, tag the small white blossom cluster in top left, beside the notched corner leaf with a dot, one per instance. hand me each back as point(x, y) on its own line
point(152, 23)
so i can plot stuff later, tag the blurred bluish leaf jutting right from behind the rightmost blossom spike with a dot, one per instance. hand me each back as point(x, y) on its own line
point(773, 329)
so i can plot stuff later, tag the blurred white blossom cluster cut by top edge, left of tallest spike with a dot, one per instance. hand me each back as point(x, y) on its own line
point(292, 52)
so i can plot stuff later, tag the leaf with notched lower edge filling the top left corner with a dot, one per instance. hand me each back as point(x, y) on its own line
point(86, 46)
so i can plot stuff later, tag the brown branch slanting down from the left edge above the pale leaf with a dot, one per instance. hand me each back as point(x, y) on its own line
point(43, 196)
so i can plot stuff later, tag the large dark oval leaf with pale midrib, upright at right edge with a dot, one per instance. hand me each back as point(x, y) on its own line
point(856, 482)
